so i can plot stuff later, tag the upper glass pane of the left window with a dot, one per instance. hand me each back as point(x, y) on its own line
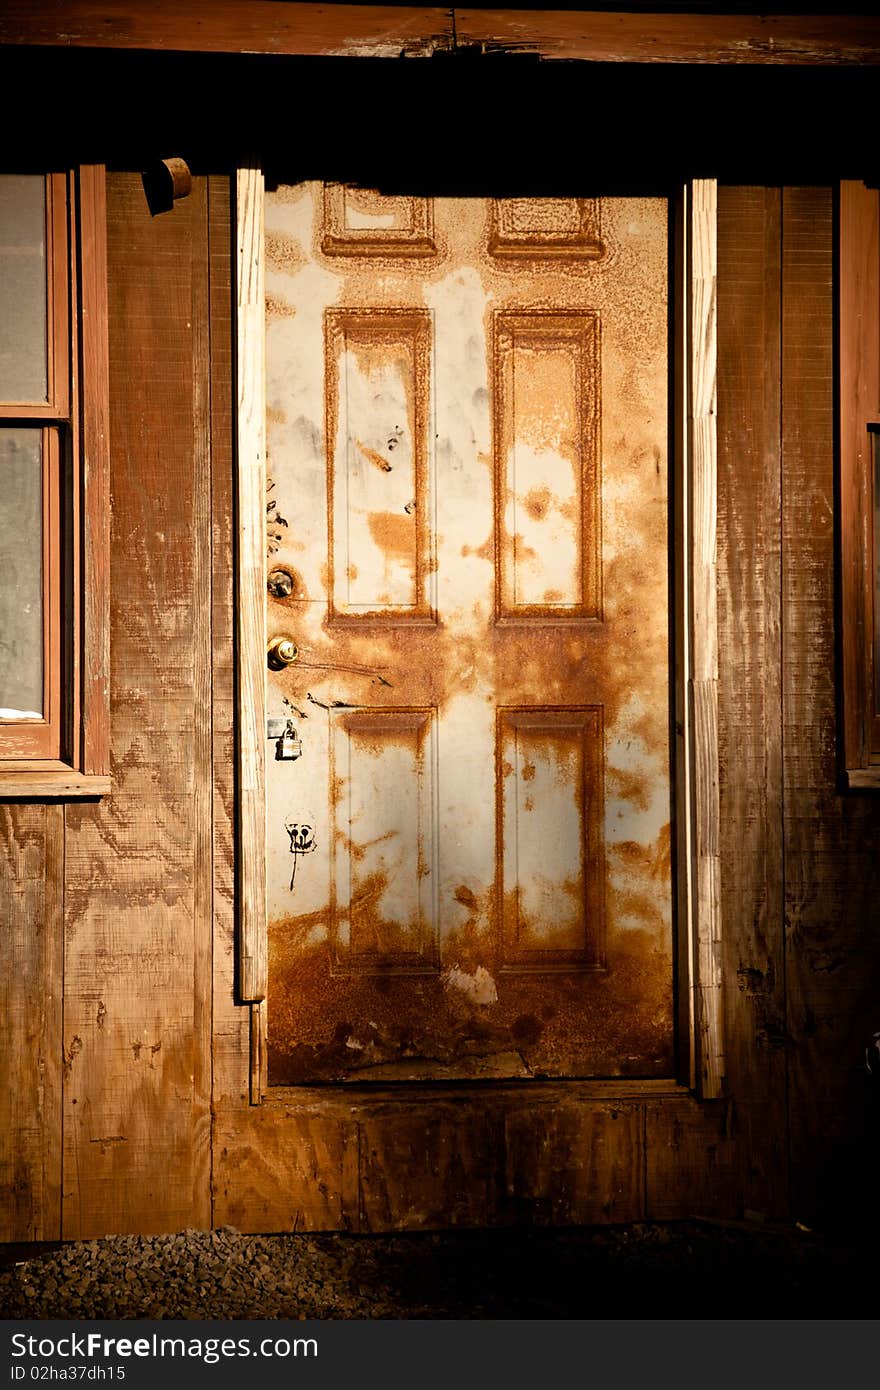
point(23, 288)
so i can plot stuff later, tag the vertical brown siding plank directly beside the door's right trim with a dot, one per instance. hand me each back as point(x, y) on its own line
point(750, 703)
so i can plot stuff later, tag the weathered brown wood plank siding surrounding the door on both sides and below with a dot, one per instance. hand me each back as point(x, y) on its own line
point(117, 960)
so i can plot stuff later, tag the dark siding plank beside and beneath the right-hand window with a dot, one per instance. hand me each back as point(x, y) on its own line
point(831, 839)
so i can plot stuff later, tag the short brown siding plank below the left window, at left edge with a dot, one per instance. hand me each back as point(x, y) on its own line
point(31, 965)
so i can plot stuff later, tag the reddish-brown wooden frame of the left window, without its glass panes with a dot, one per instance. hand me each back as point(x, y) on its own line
point(66, 754)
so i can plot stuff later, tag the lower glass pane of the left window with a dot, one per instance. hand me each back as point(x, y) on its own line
point(22, 573)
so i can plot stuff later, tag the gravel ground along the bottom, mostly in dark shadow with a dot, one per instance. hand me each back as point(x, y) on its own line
point(683, 1270)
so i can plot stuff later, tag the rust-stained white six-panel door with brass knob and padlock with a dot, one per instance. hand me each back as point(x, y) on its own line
point(469, 803)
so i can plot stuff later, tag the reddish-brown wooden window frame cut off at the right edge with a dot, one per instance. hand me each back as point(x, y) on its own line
point(860, 419)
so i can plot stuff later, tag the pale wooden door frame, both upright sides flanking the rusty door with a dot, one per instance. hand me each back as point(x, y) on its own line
point(693, 669)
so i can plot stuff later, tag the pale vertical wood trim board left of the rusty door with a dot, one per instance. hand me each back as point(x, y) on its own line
point(251, 586)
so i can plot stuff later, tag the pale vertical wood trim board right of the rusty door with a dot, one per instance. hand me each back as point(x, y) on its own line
point(703, 632)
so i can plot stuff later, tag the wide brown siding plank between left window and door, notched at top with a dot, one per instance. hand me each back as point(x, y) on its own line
point(138, 871)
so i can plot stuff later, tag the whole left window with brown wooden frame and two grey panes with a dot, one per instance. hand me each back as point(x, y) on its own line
point(54, 484)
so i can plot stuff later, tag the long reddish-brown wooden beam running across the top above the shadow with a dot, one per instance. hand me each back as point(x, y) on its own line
point(386, 31)
